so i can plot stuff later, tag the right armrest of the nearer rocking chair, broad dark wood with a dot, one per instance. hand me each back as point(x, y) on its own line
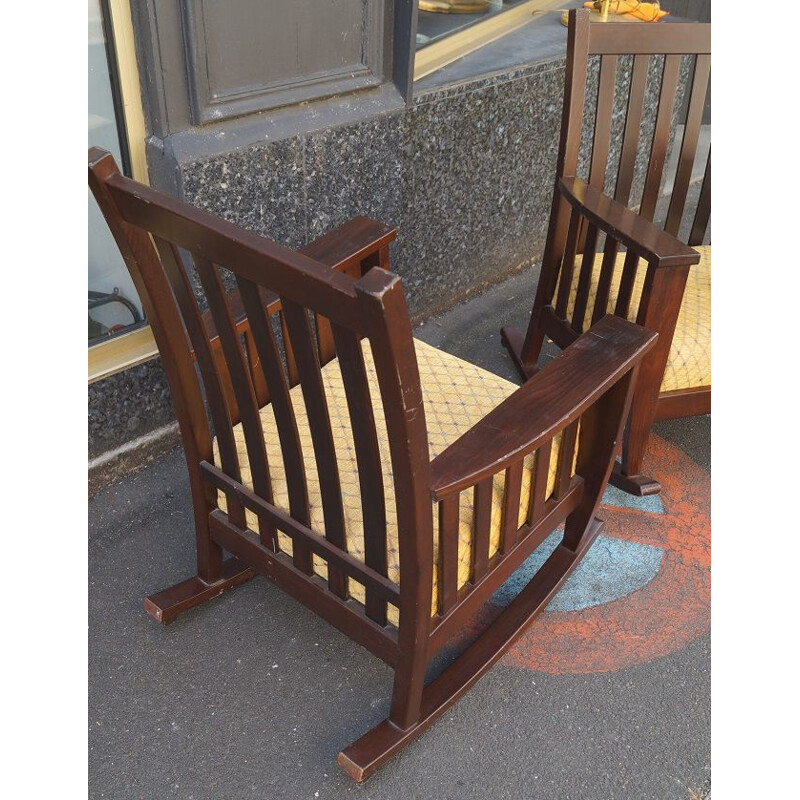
point(543, 406)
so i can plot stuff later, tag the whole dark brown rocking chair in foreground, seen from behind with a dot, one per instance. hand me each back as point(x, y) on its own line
point(325, 413)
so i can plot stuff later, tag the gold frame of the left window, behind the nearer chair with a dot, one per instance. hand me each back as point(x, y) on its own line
point(136, 347)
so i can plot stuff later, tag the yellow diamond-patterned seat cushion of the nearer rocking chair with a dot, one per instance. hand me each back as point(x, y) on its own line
point(456, 394)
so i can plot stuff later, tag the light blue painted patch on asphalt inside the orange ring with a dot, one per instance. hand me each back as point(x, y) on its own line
point(611, 569)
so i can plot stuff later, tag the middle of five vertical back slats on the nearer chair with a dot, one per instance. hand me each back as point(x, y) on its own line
point(263, 337)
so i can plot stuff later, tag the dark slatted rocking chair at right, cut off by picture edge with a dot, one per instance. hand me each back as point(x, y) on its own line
point(675, 377)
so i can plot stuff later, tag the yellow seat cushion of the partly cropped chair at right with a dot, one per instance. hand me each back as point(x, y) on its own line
point(689, 361)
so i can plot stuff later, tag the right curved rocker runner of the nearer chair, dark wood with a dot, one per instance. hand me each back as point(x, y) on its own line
point(386, 739)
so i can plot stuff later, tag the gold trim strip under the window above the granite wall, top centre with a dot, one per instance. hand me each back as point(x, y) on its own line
point(440, 54)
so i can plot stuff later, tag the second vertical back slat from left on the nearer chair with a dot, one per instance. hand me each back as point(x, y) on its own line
point(242, 388)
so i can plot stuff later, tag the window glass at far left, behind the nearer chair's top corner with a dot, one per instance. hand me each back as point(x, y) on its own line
point(113, 303)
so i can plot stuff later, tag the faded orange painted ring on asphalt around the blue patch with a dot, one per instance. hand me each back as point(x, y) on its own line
point(668, 613)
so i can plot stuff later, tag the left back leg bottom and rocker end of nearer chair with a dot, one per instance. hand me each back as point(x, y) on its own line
point(214, 576)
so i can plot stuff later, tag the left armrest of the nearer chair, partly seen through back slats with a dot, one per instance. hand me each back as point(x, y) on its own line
point(340, 249)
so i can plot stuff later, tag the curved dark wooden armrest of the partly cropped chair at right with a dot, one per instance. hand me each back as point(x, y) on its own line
point(634, 231)
